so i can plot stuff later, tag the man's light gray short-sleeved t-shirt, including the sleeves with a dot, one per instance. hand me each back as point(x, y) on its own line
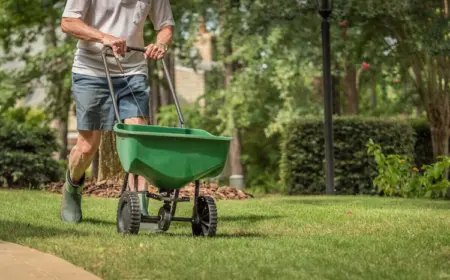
point(121, 18)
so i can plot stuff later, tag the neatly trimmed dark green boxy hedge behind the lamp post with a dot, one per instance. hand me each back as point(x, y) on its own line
point(303, 160)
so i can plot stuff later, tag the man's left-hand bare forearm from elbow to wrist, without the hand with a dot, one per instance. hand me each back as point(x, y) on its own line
point(80, 30)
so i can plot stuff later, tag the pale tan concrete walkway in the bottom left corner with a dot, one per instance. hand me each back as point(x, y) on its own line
point(20, 263)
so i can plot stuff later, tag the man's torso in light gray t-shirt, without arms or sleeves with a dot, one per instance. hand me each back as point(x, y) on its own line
point(121, 18)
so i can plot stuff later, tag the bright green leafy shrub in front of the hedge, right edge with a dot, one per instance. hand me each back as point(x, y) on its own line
point(397, 176)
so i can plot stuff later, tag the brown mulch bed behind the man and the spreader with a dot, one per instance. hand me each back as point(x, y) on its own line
point(112, 190)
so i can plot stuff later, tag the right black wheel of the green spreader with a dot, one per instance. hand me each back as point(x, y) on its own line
point(205, 224)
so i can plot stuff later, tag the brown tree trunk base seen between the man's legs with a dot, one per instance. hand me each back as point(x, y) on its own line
point(110, 168)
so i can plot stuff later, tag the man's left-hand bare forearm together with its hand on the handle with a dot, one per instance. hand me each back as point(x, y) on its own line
point(78, 29)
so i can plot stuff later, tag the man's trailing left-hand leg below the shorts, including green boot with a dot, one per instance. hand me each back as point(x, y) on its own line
point(79, 160)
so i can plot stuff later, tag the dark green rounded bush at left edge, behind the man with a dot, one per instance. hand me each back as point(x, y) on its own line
point(26, 147)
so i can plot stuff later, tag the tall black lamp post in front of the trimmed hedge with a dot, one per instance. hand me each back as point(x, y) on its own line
point(325, 9)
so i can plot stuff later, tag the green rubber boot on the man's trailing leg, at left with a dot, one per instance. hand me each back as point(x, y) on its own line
point(71, 200)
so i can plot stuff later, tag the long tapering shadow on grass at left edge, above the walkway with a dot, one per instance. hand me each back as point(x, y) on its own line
point(12, 231)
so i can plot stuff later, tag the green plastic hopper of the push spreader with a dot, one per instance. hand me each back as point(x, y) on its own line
point(170, 157)
